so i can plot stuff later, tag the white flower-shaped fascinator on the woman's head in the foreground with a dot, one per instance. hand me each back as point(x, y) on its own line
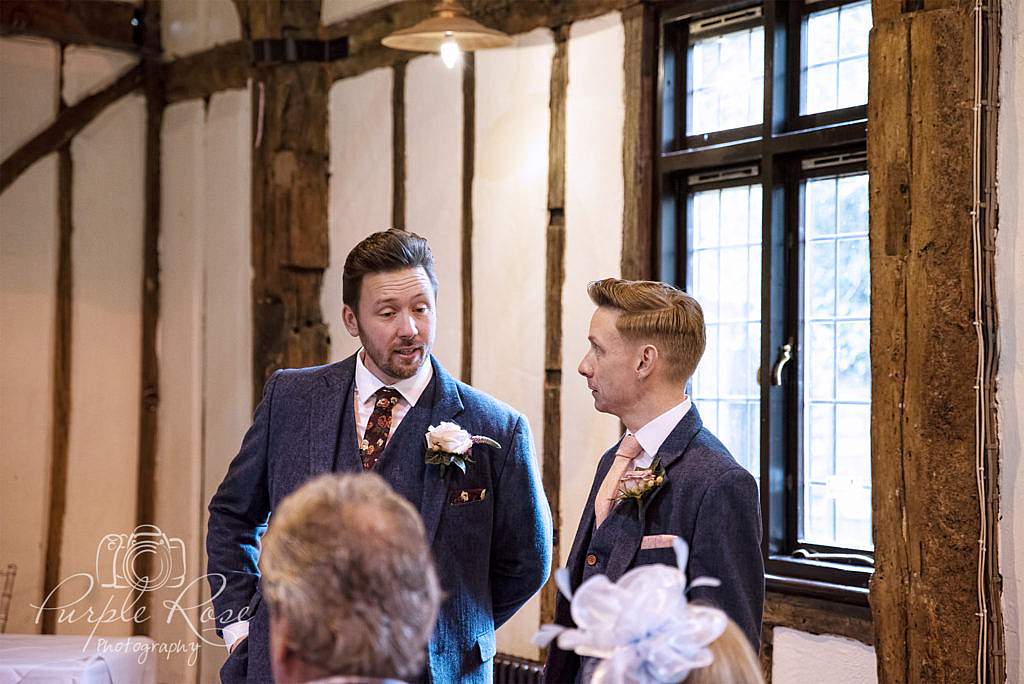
point(643, 628)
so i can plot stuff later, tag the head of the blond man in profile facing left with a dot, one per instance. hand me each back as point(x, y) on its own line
point(646, 341)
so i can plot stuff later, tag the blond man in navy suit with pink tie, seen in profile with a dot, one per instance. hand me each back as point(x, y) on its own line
point(668, 477)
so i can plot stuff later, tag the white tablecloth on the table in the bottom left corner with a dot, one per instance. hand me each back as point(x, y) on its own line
point(54, 659)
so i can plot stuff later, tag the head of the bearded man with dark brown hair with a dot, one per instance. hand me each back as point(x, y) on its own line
point(391, 291)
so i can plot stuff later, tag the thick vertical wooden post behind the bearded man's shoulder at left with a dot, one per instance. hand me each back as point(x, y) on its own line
point(289, 197)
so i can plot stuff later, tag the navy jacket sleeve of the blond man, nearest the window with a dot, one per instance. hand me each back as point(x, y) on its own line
point(727, 545)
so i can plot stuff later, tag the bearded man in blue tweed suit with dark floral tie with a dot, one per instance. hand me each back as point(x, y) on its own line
point(490, 527)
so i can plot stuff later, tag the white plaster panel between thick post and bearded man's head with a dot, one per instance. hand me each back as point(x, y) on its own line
point(361, 184)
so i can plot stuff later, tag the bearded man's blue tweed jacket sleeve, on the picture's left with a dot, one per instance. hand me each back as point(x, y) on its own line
point(239, 515)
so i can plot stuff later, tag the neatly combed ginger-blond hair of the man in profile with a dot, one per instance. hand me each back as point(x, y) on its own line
point(660, 314)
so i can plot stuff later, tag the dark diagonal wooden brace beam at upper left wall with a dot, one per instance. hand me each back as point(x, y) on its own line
point(66, 126)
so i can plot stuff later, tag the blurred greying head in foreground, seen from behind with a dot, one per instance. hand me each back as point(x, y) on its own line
point(350, 582)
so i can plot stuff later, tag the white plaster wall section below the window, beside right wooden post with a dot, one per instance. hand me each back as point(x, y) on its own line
point(799, 658)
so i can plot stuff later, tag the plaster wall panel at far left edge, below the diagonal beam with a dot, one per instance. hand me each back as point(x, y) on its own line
point(29, 245)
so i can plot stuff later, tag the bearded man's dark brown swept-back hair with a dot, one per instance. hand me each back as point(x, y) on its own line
point(383, 252)
